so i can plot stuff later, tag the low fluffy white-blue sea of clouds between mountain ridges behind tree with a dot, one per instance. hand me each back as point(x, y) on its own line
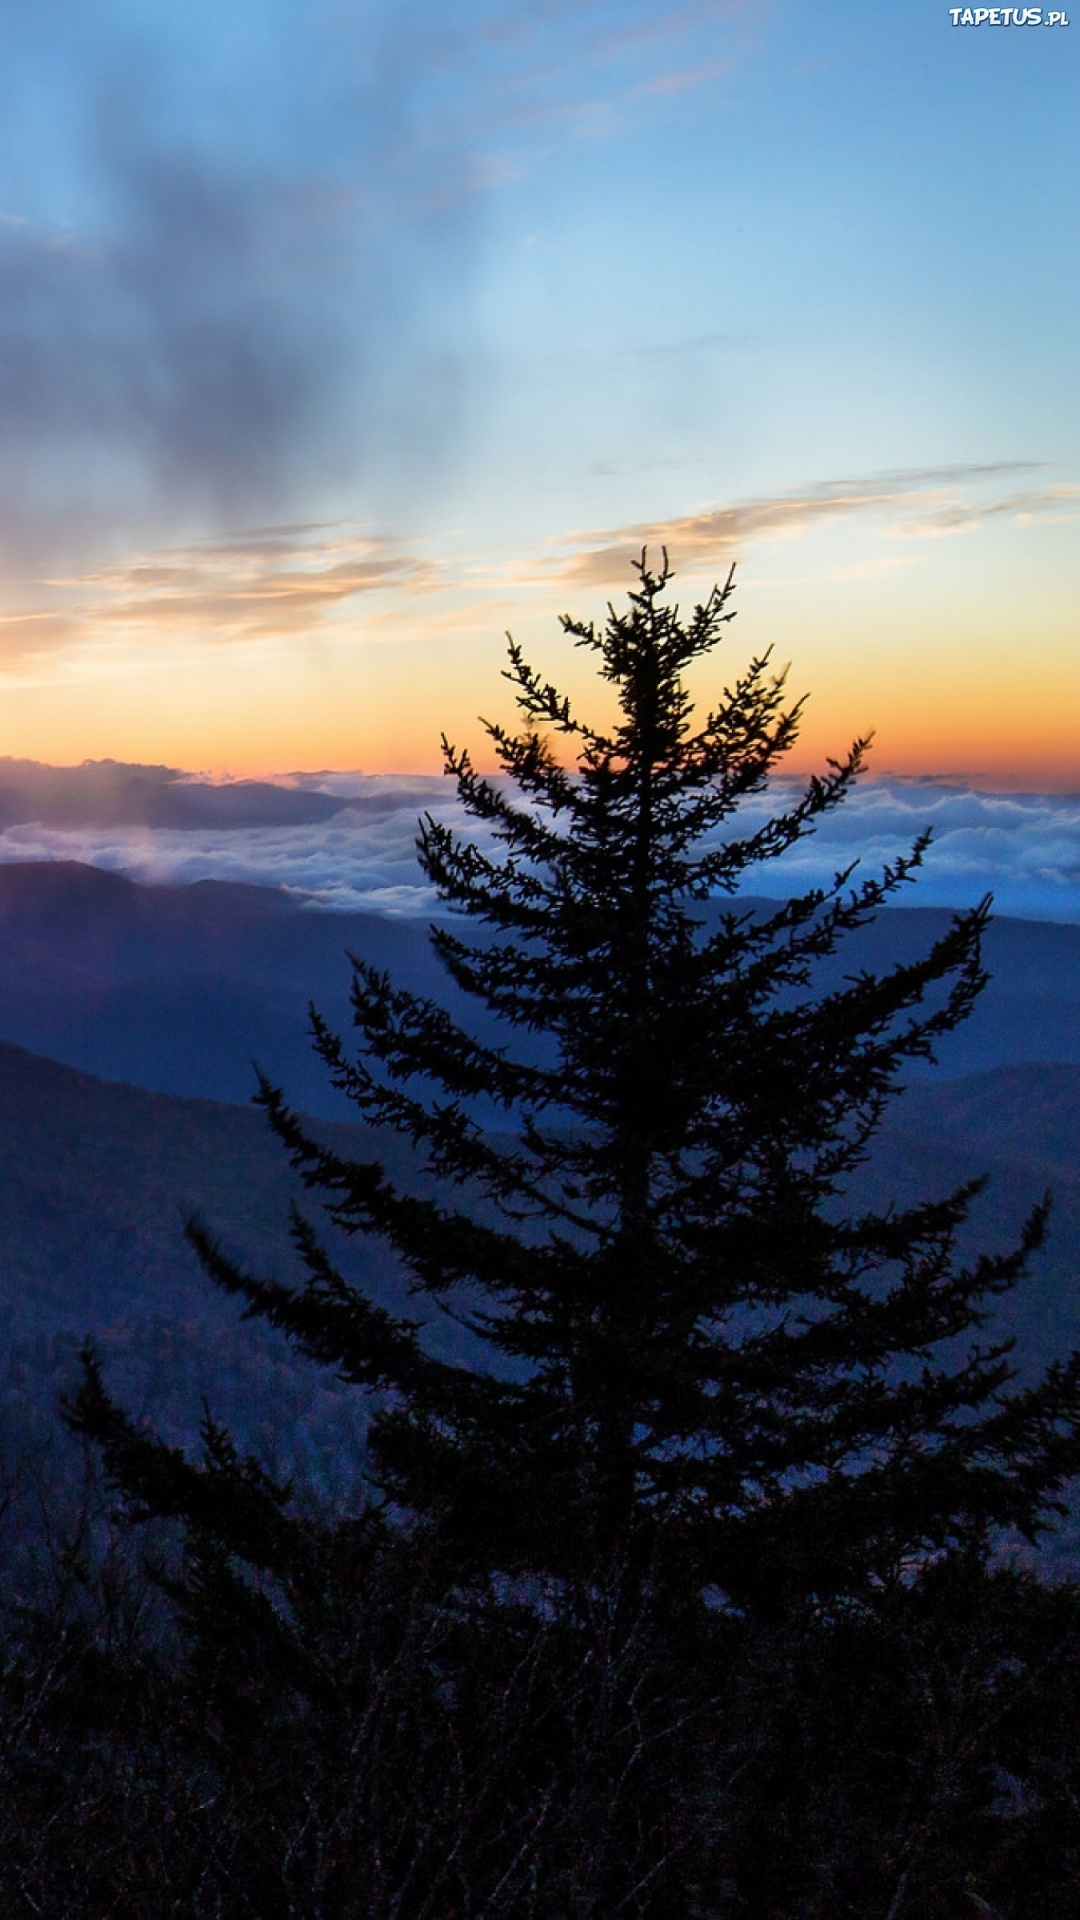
point(1021, 848)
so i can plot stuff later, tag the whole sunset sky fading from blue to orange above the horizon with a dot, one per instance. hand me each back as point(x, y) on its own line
point(339, 339)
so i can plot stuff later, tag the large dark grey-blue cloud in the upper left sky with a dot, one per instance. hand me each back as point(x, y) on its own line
point(224, 291)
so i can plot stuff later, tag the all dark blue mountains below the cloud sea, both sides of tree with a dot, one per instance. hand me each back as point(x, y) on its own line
point(153, 1003)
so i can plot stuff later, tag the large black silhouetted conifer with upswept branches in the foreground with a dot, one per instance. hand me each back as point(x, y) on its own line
point(695, 1358)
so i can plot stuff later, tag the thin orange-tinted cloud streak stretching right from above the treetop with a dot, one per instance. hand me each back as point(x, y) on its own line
point(920, 494)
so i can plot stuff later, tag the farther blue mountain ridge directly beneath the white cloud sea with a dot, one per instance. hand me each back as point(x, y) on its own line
point(182, 988)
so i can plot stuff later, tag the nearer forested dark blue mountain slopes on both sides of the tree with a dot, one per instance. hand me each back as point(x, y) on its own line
point(97, 1182)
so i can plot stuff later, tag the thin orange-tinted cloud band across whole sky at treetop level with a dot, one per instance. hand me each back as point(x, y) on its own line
point(291, 579)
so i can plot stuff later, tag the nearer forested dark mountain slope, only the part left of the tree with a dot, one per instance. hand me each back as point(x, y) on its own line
point(97, 1184)
